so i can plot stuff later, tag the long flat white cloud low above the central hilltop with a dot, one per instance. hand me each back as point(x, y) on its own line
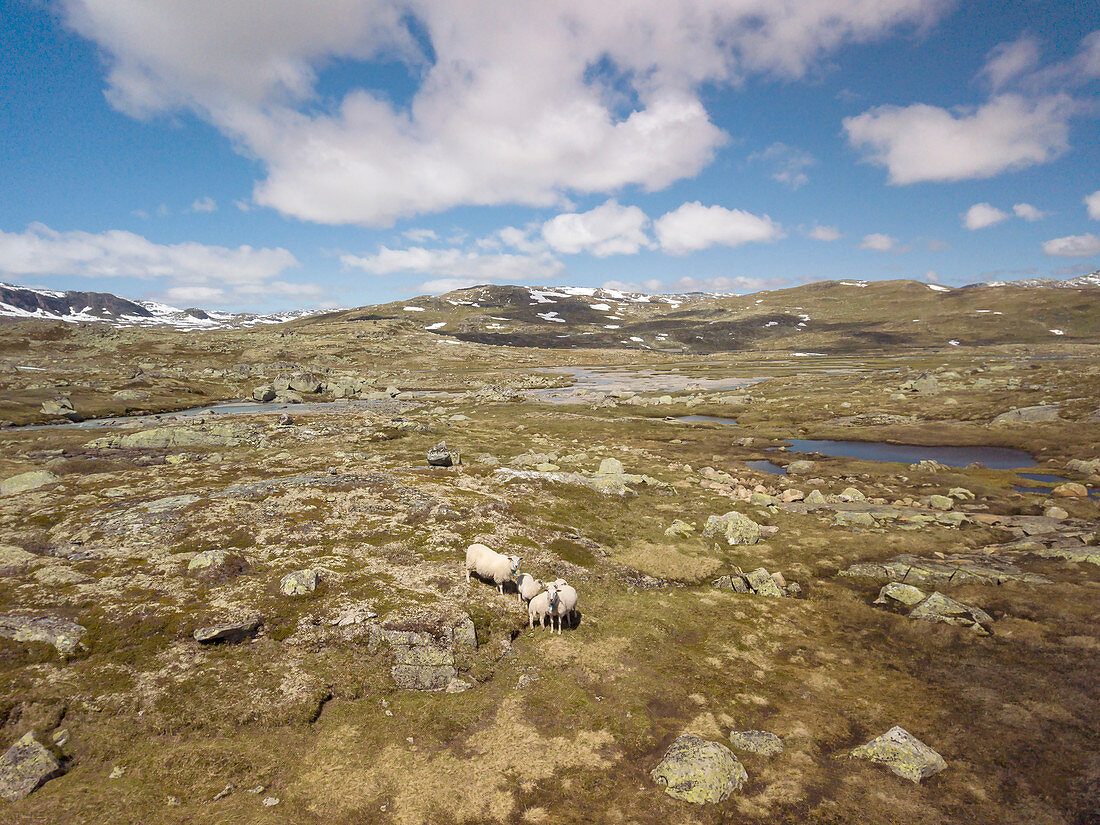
point(456, 265)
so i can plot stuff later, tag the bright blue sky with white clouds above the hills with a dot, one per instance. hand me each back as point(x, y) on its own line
point(283, 155)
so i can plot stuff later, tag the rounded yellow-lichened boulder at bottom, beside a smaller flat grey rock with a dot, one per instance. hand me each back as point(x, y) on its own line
point(700, 772)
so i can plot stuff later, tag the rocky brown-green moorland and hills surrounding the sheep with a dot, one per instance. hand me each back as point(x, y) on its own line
point(260, 612)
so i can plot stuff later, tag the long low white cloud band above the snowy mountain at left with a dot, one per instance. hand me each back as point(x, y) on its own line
point(236, 273)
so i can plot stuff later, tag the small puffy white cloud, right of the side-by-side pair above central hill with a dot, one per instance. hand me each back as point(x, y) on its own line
point(695, 227)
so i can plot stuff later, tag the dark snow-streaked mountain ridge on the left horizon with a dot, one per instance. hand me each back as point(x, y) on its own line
point(75, 307)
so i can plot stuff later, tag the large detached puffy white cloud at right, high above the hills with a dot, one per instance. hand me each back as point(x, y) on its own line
point(921, 142)
